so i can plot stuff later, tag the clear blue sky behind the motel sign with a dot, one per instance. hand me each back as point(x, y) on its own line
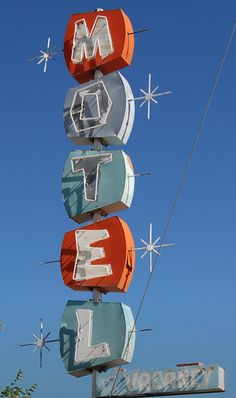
point(191, 301)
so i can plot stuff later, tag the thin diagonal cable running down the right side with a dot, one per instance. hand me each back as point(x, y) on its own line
point(181, 185)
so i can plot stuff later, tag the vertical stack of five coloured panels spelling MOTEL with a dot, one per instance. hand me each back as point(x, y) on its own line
point(95, 184)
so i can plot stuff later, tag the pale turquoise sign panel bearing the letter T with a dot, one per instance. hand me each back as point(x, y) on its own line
point(97, 181)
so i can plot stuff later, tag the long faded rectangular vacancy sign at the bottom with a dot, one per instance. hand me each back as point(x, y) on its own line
point(151, 383)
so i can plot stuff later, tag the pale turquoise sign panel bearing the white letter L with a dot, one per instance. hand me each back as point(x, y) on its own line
point(96, 335)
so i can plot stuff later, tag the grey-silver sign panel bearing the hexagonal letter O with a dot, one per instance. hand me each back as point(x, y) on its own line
point(101, 109)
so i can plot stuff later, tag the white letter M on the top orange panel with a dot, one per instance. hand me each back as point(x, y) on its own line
point(86, 45)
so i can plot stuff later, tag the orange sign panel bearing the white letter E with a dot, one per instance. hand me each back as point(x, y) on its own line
point(99, 255)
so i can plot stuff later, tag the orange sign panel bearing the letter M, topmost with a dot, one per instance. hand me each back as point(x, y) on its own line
point(100, 40)
